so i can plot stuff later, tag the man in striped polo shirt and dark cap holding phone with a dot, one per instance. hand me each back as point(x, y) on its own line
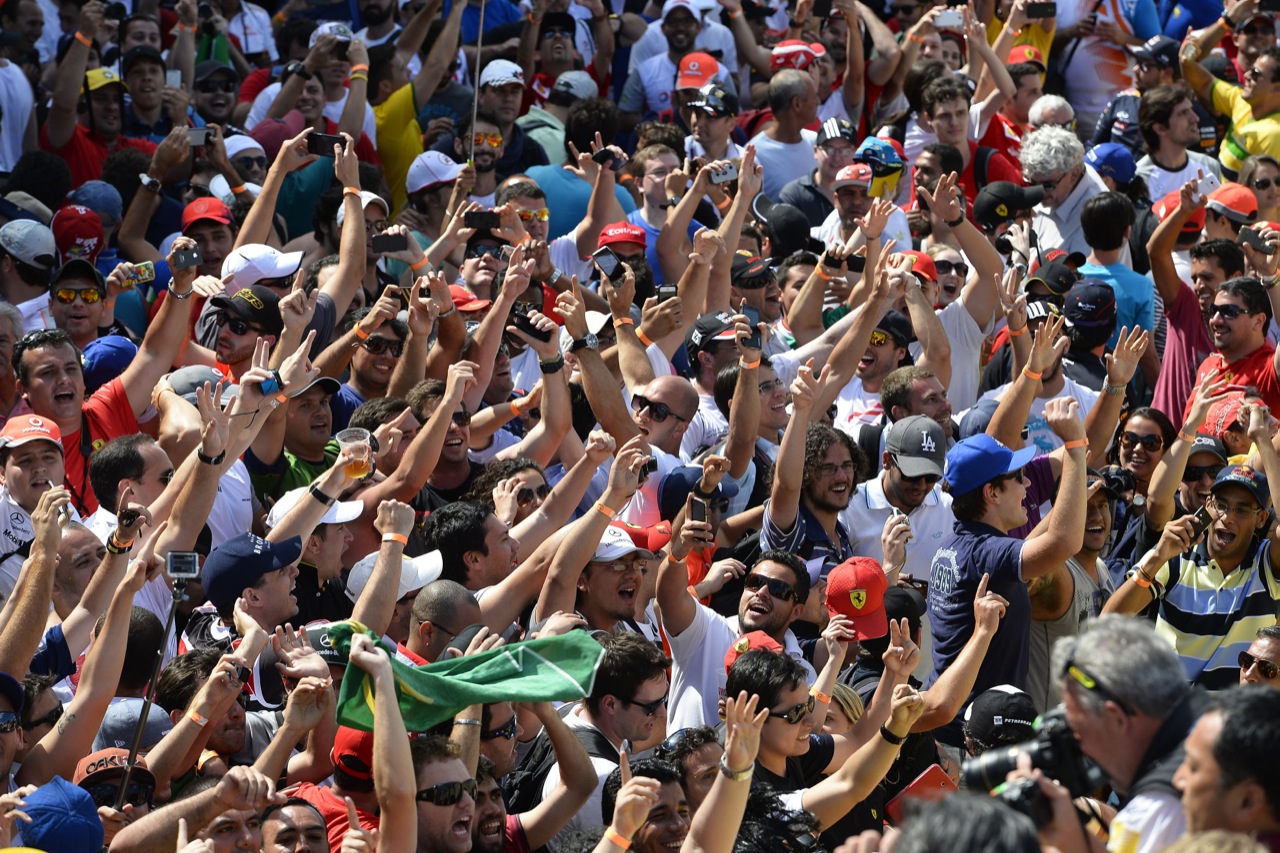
point(1224, 586)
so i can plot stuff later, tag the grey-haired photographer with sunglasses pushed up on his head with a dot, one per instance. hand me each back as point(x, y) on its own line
point(1127, 701)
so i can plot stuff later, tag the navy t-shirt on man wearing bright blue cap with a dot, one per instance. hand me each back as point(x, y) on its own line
point(972, 551)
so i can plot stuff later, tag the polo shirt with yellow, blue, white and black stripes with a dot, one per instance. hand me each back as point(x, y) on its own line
point(1209, 618)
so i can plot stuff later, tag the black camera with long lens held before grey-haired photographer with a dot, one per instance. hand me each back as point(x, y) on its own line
point(1054, 751)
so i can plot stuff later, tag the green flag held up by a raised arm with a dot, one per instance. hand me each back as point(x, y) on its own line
point(542, 670)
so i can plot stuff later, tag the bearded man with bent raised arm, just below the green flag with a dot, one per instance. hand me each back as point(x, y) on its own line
point(497, 832)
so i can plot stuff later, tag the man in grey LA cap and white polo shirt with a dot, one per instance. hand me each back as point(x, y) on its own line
point(909, 492)
